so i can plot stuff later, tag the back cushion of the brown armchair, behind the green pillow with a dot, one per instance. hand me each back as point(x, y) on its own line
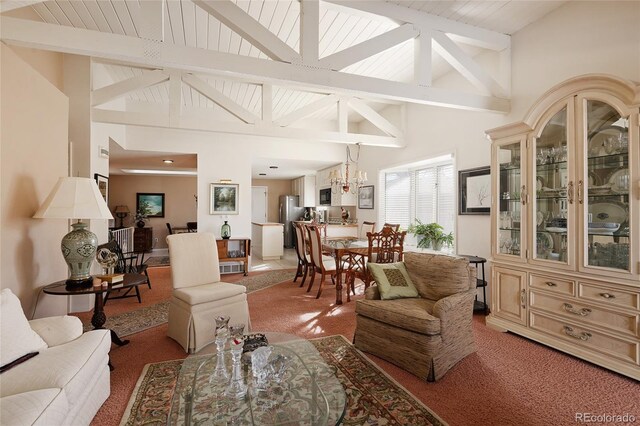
point(437, 275)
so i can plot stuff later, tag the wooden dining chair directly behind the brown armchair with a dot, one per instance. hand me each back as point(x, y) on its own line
point(386, 246)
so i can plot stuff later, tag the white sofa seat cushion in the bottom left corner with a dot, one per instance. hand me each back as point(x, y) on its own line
point(38, 407)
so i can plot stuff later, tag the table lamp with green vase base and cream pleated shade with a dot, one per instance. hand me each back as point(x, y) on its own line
point(76, 198)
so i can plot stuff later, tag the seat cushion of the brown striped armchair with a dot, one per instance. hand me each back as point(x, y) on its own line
point(409, 314)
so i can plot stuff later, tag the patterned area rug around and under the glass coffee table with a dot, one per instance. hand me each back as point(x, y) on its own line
point(371, 396)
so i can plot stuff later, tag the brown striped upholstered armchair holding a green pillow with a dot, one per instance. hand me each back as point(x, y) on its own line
point(428, 334)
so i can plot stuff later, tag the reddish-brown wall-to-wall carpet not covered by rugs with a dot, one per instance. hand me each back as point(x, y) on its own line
point(509, 381)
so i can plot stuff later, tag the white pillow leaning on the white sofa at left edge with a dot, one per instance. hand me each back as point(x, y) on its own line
point(16, 336)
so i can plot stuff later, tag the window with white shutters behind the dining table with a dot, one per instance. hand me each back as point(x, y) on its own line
point(425, 192)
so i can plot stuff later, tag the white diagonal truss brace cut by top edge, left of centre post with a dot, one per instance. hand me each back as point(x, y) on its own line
point(249, 29)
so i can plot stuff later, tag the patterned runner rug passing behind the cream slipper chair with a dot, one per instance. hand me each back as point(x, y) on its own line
point(151, 316)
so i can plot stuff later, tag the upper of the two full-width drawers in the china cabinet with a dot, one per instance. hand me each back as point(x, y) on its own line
point(585, 314)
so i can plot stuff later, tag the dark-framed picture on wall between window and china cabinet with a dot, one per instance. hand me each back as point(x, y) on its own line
point(474, 191)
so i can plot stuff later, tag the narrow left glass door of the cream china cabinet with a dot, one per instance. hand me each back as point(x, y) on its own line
point(510, 199)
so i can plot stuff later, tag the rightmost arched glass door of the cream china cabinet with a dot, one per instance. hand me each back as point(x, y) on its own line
point(608, 186)
